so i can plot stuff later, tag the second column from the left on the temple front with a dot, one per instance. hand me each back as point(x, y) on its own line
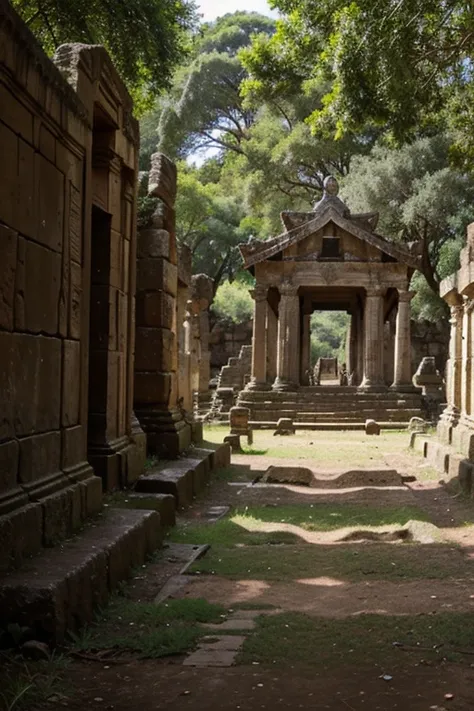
point(288, 339)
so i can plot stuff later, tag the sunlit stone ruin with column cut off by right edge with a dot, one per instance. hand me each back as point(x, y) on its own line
point(452, 451)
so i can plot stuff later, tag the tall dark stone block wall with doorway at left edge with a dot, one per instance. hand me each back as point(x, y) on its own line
point(65, 153)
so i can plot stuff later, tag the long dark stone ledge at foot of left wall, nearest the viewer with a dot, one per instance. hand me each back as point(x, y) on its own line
point(61, 587)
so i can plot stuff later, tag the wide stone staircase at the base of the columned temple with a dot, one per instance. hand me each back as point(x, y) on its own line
point(331, 407)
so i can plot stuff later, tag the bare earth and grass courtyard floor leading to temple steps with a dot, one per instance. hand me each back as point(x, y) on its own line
point(346, 611)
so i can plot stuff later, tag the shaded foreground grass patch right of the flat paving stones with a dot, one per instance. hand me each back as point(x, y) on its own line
point(295, 638)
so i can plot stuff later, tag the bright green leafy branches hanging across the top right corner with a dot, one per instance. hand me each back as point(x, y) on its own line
point(399, 64)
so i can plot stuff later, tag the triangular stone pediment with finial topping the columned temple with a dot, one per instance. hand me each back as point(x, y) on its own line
point(329, 232)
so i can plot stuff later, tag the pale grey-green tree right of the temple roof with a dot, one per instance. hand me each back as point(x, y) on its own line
point(420, 198)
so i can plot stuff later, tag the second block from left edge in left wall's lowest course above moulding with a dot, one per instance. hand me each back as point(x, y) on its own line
point(40, 455)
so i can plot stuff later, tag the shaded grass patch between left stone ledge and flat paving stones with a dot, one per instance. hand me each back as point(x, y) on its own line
point(149, 630)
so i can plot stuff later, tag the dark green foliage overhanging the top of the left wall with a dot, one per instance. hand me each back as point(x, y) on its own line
point(146, 39)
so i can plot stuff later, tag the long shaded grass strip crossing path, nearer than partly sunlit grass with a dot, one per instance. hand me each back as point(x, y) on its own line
point(351, 563)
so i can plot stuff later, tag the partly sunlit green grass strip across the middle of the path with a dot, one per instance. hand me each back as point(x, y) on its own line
point(246, 526)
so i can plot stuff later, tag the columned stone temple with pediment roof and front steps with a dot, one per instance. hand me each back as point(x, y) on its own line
point(330, 259)
